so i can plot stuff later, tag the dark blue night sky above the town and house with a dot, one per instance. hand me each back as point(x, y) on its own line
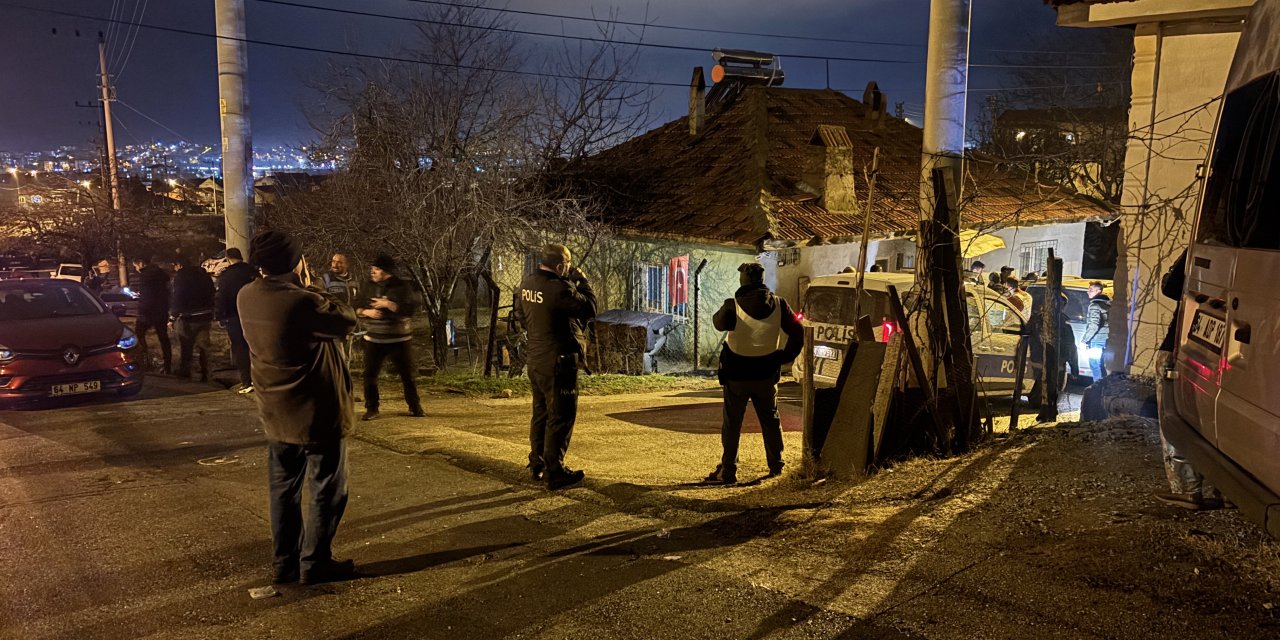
point(171, 77)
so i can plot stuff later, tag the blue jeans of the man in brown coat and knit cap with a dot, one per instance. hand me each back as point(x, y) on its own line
point(324, 467)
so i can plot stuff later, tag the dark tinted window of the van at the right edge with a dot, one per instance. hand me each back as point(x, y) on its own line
point(1244, 189)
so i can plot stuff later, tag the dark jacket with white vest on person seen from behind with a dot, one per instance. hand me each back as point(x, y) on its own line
point(756, 310)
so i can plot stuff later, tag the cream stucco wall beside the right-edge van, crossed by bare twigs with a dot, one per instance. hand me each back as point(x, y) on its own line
point(1178, 72)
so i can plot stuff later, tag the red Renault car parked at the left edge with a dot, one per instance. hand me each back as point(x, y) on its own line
point(58, 340)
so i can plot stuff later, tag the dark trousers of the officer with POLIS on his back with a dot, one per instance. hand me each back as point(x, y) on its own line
point(555, 414)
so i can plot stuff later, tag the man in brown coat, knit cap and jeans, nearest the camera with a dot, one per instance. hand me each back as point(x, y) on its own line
point(304, 396)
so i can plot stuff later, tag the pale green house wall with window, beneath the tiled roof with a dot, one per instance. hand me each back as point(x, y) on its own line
point(611, 267)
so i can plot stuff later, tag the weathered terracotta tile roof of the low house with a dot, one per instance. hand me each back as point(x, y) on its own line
point(740, 182)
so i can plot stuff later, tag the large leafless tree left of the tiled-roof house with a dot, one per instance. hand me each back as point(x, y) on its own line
point(456, 158)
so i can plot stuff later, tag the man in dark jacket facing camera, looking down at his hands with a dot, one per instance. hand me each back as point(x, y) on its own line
point(387, 307)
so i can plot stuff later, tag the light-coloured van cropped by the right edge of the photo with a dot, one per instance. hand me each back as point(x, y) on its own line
point(1220, 404)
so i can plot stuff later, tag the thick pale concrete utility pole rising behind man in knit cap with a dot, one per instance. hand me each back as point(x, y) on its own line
point(234, 108)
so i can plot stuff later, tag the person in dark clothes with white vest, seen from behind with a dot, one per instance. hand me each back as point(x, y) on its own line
point(758, 323)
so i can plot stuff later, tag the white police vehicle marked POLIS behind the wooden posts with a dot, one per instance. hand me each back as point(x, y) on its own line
point(829, 308)
